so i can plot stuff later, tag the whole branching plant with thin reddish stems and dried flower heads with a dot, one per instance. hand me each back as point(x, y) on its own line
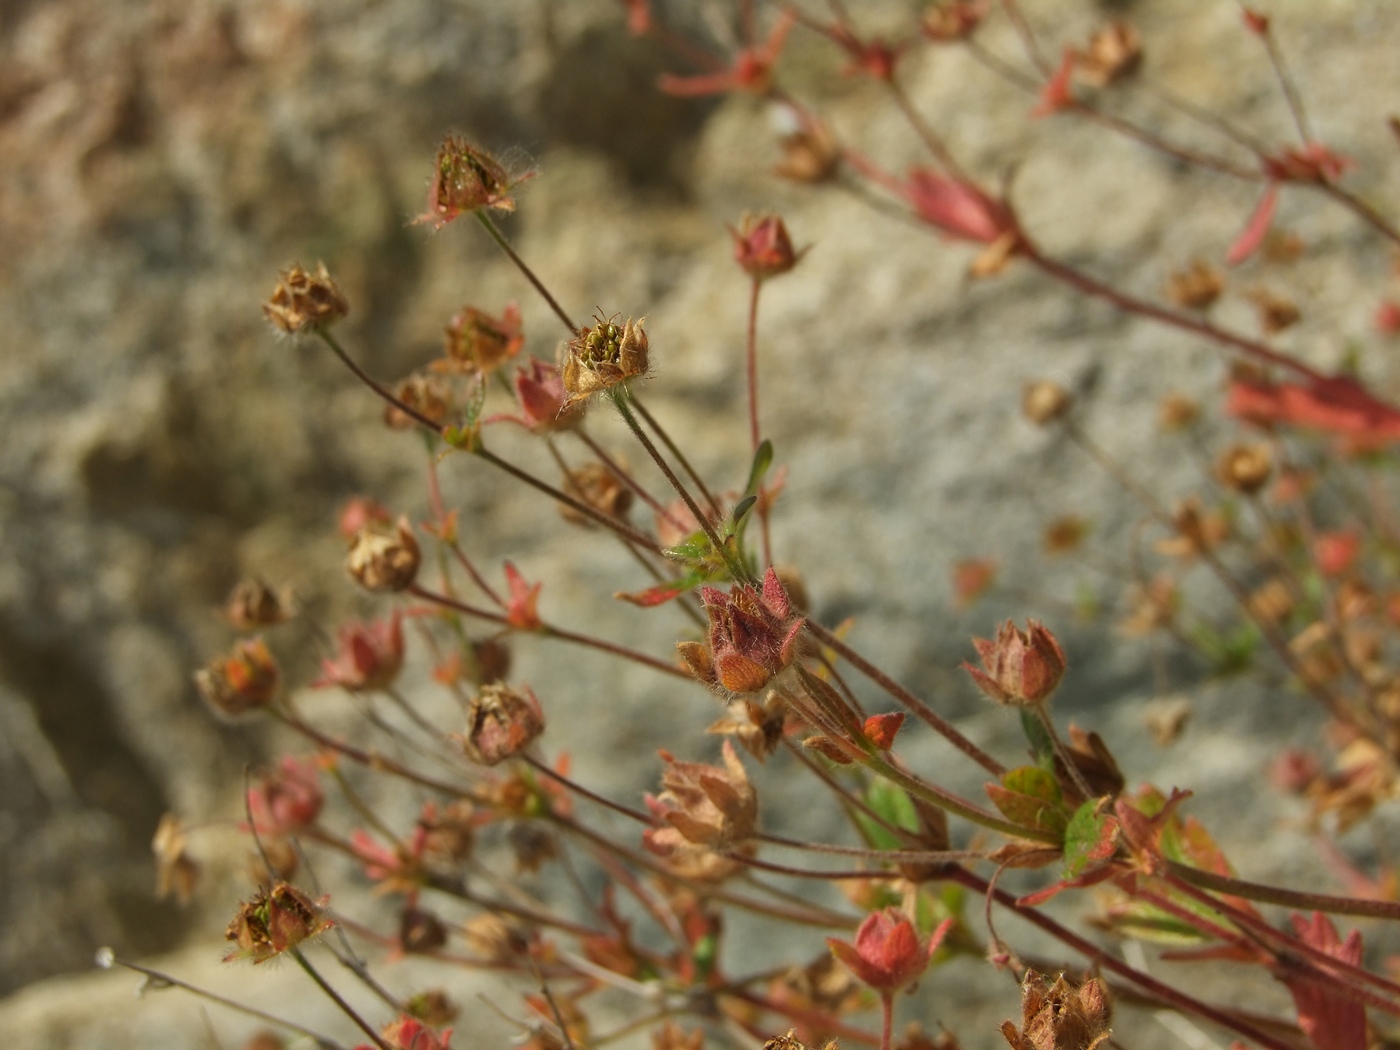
point(922, 866)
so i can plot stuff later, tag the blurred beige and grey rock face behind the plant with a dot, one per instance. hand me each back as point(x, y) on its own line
point(163, 160)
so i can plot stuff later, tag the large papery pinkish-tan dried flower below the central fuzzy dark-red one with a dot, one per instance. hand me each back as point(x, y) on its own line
point(703, 807)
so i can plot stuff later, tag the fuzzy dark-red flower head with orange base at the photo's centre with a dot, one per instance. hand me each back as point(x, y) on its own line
point(752, 636)
